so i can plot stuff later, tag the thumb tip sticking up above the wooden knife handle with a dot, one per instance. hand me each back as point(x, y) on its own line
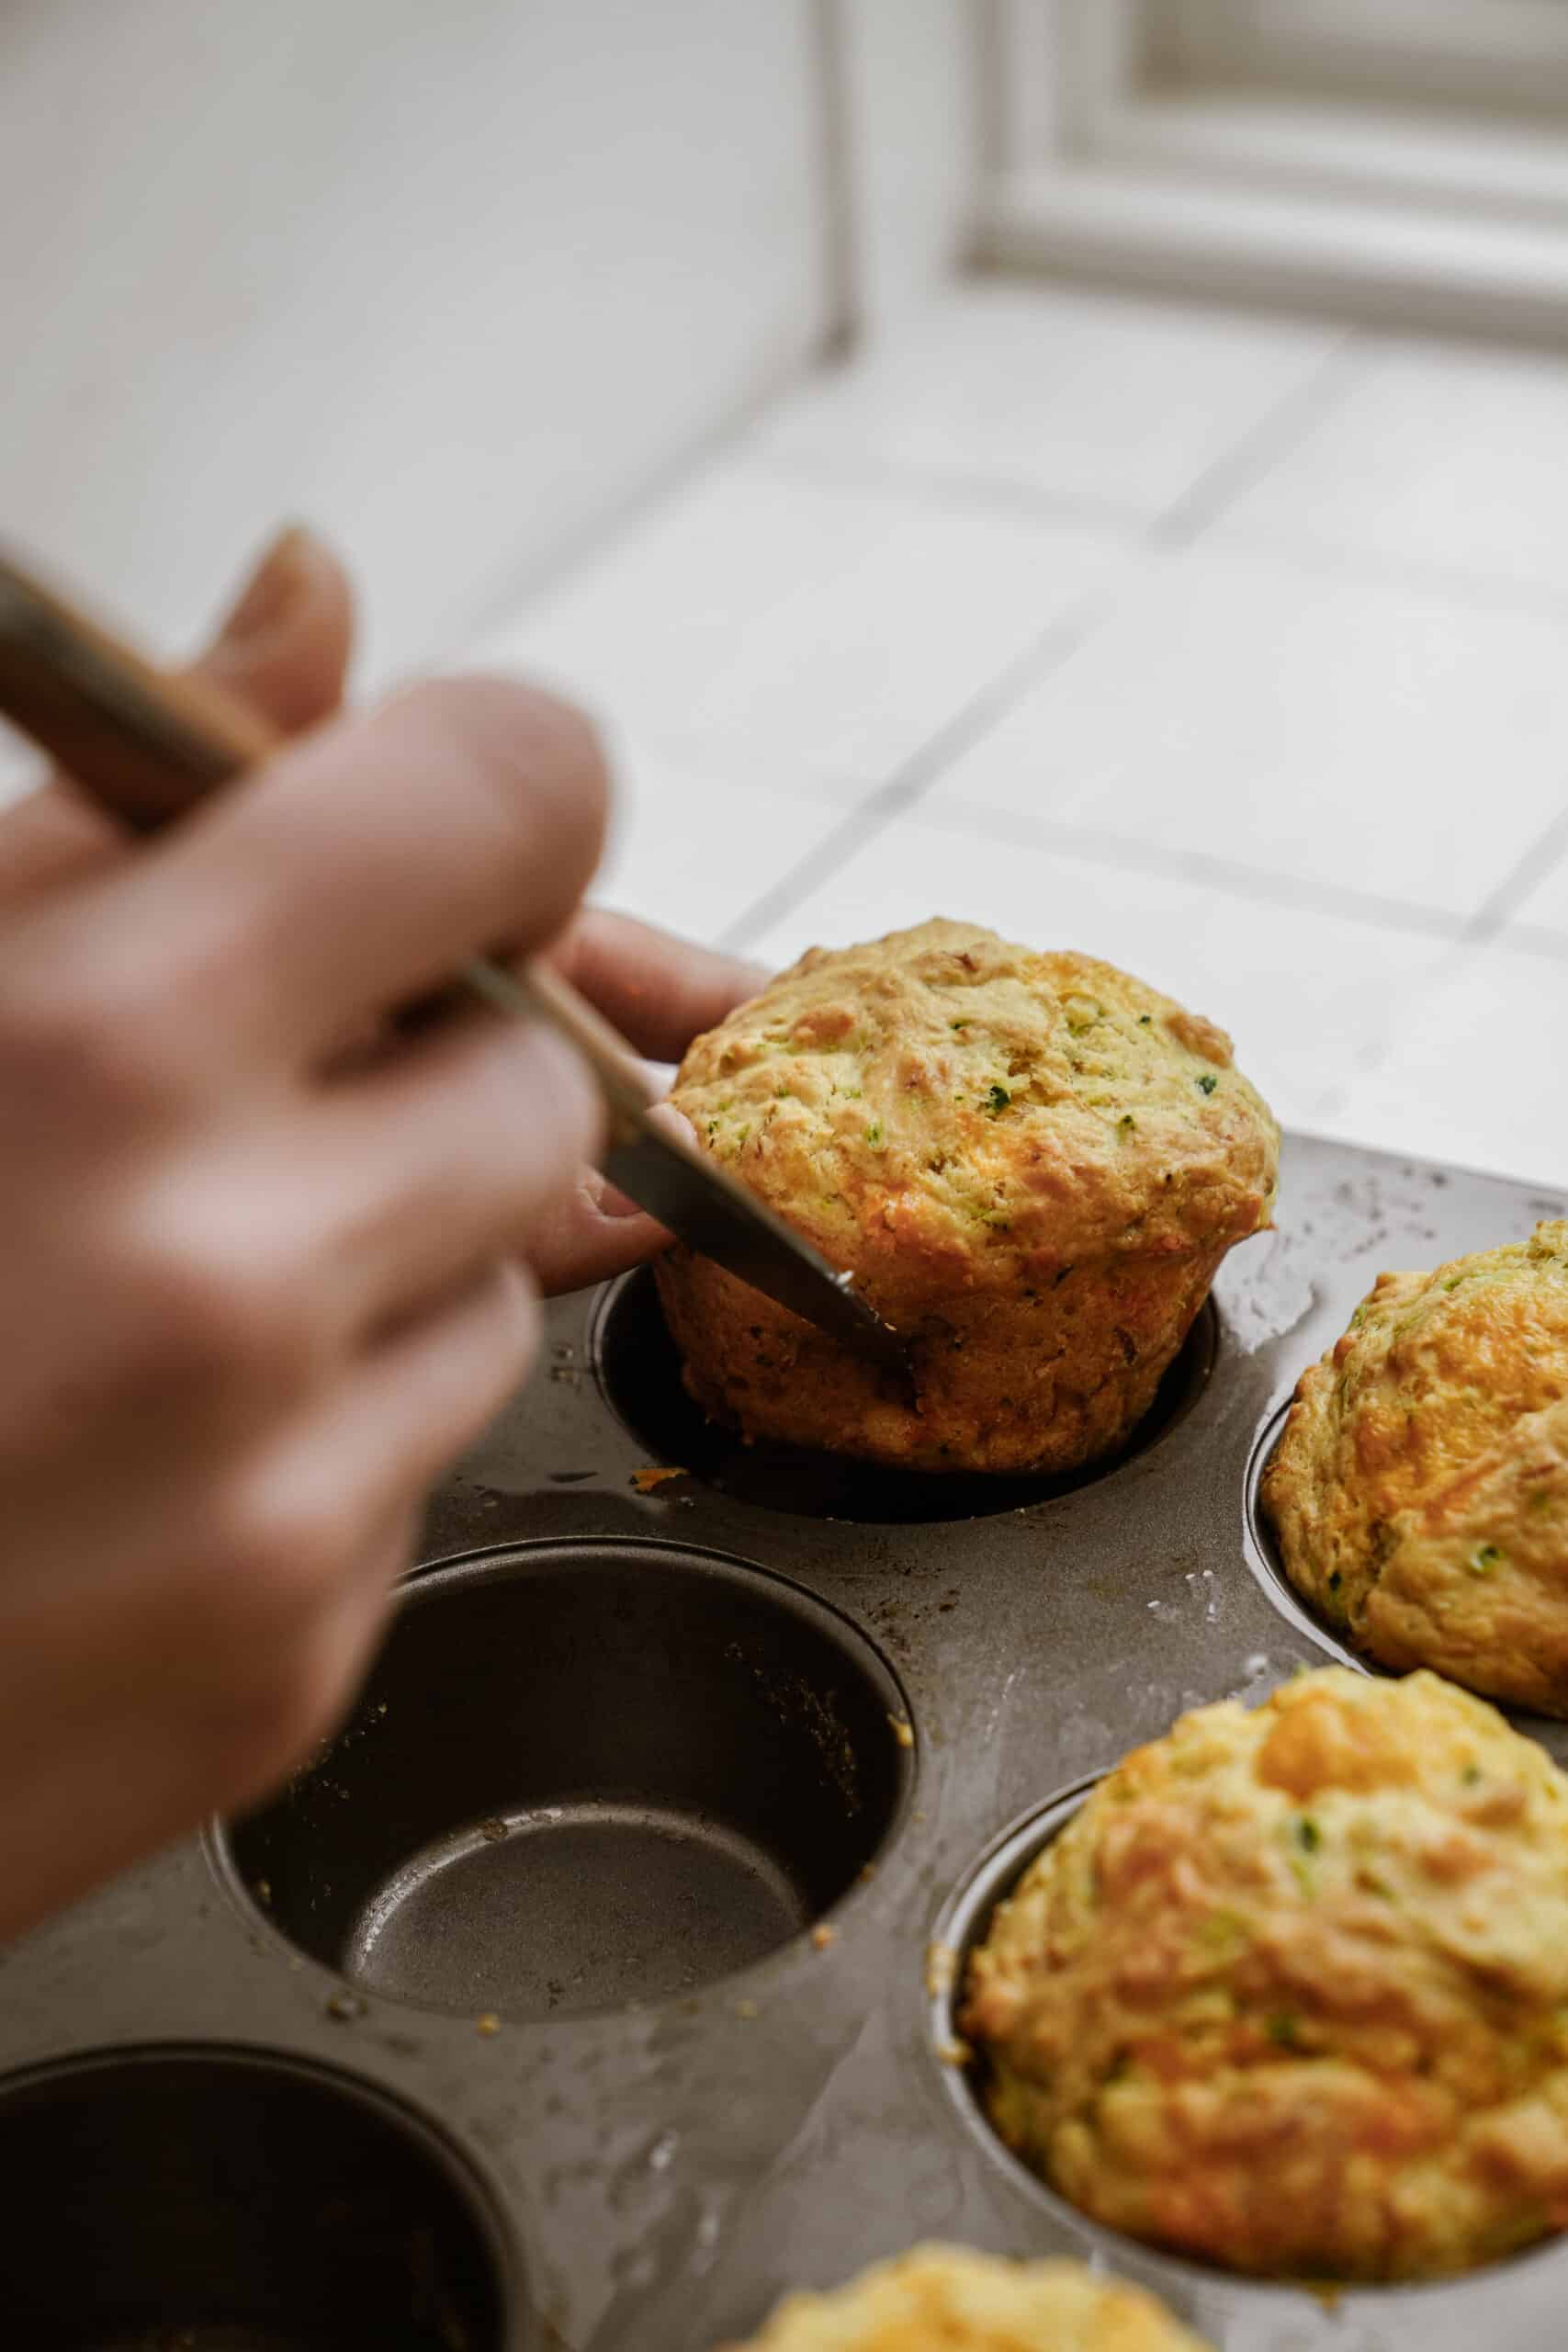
point(286, 643)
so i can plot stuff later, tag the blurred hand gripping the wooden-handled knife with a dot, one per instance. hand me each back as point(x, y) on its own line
point(255, 1290)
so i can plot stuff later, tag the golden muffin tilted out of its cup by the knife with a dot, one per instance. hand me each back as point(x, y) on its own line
point(1031, 1163)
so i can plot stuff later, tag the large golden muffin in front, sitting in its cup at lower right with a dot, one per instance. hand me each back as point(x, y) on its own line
point(1292, 1991)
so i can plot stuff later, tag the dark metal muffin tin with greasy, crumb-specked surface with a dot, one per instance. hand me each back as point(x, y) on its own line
point(584, 1991)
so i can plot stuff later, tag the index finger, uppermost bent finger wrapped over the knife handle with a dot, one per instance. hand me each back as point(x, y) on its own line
point(368, 864)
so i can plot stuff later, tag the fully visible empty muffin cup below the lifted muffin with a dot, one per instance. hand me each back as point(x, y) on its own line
point(584, 1775)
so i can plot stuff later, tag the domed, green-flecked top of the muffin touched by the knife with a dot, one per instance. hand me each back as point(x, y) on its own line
point(942, 1109)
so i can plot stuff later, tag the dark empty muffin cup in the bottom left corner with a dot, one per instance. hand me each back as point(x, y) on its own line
point(232, 2200)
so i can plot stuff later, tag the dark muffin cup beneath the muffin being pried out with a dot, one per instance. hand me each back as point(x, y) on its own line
point(643, 1382)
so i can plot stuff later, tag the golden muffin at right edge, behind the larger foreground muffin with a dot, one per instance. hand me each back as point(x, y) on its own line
point(1421, 1485)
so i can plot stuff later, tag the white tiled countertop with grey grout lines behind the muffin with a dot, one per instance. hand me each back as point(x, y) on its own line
point(1226, 648)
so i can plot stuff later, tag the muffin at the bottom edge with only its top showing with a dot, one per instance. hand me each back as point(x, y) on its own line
point(946, 2299)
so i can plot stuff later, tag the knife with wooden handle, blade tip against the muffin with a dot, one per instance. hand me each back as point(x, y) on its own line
point(149, 747)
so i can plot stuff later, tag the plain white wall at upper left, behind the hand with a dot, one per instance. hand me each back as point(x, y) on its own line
point(450, 279)
